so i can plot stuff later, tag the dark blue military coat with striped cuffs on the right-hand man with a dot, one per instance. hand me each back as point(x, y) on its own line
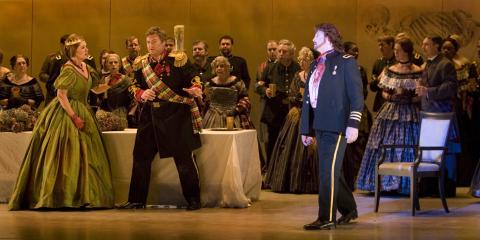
point(340, 97)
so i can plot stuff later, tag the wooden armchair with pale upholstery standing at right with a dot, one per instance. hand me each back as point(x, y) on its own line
point(429, 158)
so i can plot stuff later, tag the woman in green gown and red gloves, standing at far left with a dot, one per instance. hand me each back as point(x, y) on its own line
point(66, 165)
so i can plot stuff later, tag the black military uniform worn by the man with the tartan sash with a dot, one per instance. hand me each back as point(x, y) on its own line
point(164, 127)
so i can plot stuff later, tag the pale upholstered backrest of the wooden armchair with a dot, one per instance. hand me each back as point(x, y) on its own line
point(434, 129)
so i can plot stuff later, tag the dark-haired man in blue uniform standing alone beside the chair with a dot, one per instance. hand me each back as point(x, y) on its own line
point(332, 109)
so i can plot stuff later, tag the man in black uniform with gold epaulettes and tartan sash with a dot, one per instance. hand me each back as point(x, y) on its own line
point(169, 121)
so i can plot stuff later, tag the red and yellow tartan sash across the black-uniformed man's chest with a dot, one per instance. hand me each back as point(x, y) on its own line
point(165, 93)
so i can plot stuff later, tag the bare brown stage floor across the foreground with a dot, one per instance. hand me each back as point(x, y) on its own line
point(275, 216)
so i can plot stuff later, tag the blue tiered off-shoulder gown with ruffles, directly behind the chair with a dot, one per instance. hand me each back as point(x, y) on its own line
point(397, 122)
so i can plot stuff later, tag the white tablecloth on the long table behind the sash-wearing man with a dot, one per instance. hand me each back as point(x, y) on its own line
point(228, 165)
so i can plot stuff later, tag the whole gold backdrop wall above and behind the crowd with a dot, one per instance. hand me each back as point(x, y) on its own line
point(33, 27)
